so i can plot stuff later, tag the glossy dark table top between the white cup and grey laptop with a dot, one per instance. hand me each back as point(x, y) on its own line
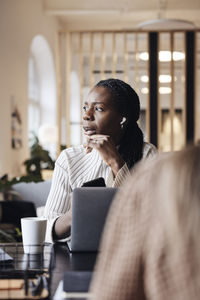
point(66, 261)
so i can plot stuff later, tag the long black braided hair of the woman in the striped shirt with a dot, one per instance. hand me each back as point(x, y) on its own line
point(128, 104)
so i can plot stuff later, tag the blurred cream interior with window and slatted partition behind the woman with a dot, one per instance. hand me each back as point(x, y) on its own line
point(53, 51)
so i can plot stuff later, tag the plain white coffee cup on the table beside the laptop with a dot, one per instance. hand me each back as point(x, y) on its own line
point(33, 234)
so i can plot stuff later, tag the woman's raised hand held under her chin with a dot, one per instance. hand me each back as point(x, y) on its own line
point(107, 149)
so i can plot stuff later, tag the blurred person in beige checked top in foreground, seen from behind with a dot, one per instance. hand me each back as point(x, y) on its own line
point(151, 246)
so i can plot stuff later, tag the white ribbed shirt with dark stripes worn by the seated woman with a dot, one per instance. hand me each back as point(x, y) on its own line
point(73, 168)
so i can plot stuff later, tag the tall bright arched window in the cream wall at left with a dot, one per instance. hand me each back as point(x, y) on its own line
point(42, 94)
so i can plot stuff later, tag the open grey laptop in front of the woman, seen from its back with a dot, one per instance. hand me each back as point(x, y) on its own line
point(90, 206)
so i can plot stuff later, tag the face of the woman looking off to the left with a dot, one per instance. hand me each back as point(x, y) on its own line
point(100, 115)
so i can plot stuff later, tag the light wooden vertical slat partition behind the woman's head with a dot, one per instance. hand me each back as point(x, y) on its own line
point(126, 70)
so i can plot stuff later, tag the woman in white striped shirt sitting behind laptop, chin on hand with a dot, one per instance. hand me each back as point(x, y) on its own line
point(114, 144)
